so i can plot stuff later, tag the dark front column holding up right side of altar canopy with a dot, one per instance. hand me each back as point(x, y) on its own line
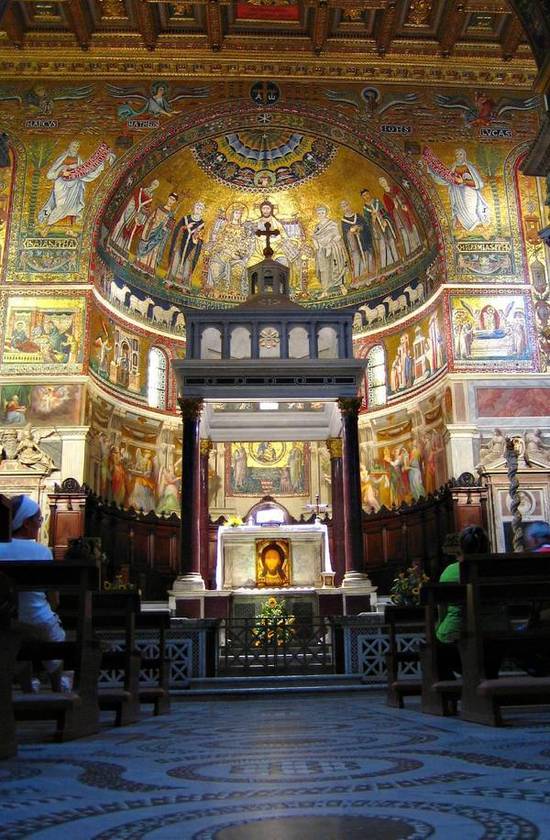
point(355, 553)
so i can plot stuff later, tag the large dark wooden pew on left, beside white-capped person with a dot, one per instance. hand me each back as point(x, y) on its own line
point(76, 713)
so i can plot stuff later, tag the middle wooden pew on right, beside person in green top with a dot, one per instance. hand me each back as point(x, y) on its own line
point(439, 695)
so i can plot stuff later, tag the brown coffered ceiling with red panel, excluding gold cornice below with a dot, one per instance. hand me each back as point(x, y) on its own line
point(483, 30)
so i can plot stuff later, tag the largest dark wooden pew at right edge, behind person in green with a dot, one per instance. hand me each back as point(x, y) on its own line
point(511, 579)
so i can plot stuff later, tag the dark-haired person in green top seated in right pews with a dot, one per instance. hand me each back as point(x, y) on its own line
point(472, 540)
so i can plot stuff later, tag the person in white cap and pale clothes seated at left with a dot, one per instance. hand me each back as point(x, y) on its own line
point(37, 619)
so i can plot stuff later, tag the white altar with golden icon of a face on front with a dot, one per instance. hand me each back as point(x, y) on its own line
point(267, 559)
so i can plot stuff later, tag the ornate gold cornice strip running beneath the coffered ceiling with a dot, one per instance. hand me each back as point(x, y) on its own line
point(103, 63)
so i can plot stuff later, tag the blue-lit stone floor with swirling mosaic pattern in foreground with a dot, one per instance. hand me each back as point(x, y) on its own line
point(285, 767)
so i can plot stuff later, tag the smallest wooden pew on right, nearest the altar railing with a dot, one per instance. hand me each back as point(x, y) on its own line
point(399, 620)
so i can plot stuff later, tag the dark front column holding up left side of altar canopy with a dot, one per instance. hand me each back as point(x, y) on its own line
point(190, 577)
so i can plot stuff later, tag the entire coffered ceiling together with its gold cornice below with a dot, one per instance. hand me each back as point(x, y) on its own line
point(421, 41)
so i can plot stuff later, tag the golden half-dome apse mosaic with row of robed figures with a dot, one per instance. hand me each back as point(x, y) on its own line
point(340, 222)
